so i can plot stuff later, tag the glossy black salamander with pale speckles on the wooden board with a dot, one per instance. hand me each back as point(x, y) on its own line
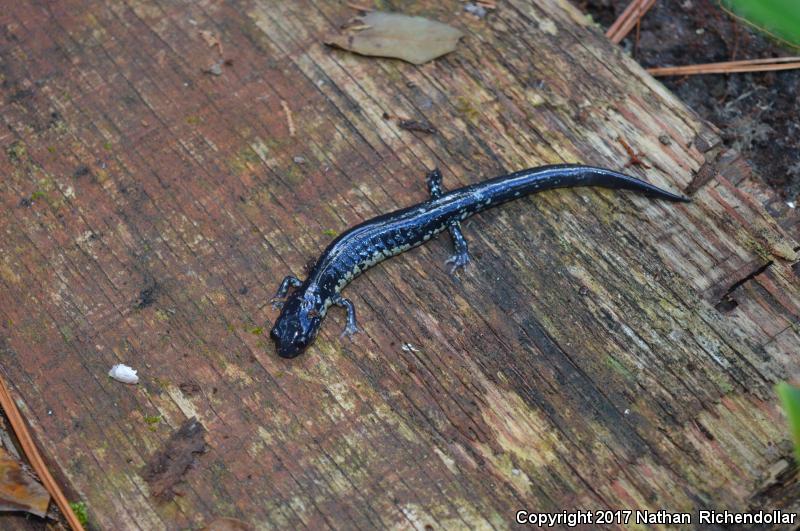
point(379, 238)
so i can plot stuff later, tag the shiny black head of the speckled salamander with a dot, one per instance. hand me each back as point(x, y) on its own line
point(298, 323)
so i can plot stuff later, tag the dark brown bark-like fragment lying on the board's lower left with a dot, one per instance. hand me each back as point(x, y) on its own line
point(167, 467)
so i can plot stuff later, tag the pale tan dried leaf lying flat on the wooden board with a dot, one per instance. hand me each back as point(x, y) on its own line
point(413, 39)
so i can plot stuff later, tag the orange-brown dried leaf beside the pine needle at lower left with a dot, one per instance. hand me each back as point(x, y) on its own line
point(19, 491)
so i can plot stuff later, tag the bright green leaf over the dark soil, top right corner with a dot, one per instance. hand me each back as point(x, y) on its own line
point(779, 18)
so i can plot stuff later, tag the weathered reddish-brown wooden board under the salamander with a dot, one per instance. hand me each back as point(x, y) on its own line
point(602, 350)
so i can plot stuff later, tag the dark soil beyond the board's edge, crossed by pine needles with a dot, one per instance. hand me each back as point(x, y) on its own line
point(759, 113)
